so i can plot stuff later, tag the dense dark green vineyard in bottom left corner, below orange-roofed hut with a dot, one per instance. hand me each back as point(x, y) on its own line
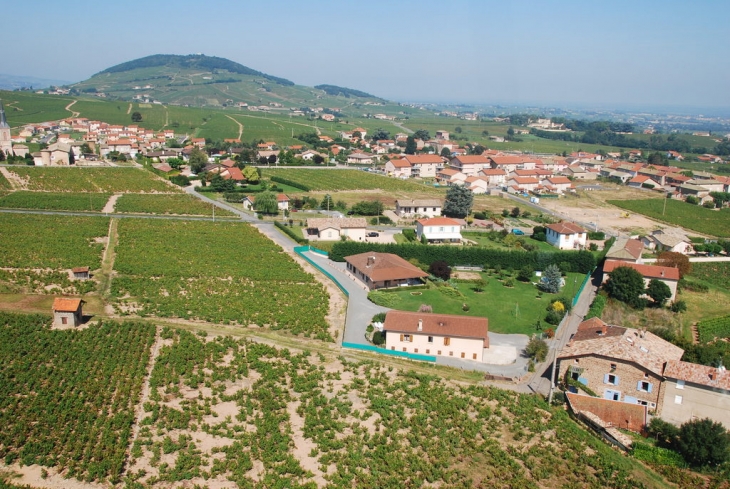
point(68, 396)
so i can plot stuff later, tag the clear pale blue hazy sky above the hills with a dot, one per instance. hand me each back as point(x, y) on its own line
point(609, 53)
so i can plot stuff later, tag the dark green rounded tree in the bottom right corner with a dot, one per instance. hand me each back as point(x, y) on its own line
point(704, 443)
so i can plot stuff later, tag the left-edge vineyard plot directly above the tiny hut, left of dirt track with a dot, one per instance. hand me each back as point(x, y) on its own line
point(52, 242)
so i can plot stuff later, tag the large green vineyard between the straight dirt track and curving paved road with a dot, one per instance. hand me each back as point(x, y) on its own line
point(215, 271)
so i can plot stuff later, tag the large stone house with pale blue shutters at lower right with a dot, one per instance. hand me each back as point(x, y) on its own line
point(617, 363)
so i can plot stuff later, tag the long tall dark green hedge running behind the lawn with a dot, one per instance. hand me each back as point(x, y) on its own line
point(581, 261)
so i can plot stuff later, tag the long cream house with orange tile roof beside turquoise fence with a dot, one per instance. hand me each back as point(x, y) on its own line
point(443, 335)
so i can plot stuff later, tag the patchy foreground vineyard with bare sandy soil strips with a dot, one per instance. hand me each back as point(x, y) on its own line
point(229, 410)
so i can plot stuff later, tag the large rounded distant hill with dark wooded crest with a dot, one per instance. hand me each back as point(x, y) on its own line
point(207, 81)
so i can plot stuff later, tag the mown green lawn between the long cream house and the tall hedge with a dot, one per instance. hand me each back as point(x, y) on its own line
point(509, 309)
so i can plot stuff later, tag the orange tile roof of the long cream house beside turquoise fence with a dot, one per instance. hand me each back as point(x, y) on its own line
point(438, 324)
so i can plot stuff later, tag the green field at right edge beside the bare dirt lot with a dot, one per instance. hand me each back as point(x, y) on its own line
point(693, 217)
